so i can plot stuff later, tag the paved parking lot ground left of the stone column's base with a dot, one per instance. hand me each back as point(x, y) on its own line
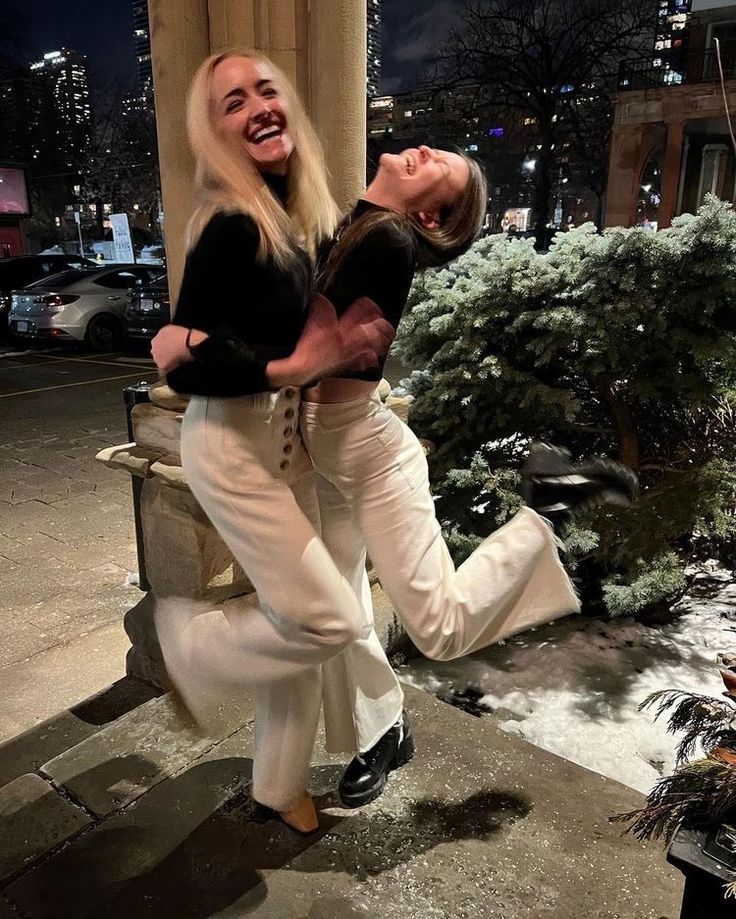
point(67, 544)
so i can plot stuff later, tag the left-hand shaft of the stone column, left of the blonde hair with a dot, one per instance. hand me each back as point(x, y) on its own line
point(179, 44)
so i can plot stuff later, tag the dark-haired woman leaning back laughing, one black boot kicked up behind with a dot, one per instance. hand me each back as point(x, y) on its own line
point(424, 207)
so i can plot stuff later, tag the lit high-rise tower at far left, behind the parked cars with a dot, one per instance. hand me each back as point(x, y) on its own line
point(65, 71)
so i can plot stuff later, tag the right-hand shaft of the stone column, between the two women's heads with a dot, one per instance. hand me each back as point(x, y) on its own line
point(337, 68)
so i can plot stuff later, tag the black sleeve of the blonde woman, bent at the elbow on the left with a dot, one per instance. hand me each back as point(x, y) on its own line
point(224, 364)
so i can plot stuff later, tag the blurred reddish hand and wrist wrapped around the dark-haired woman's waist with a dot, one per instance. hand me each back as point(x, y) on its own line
point(329, 345)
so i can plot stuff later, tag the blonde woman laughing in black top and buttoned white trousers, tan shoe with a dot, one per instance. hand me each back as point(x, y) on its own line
point(263, 208)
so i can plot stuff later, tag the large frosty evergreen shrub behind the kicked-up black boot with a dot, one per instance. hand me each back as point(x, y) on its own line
point(621, 344)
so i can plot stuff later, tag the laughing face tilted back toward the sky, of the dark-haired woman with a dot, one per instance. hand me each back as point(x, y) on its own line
point(423, 180)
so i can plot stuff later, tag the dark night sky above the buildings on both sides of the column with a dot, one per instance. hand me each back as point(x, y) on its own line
point(102, 29)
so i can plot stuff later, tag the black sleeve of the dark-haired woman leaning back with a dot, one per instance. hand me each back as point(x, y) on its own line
point(382, 268)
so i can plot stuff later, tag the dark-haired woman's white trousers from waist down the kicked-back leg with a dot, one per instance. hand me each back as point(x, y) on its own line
point(513, 580)
